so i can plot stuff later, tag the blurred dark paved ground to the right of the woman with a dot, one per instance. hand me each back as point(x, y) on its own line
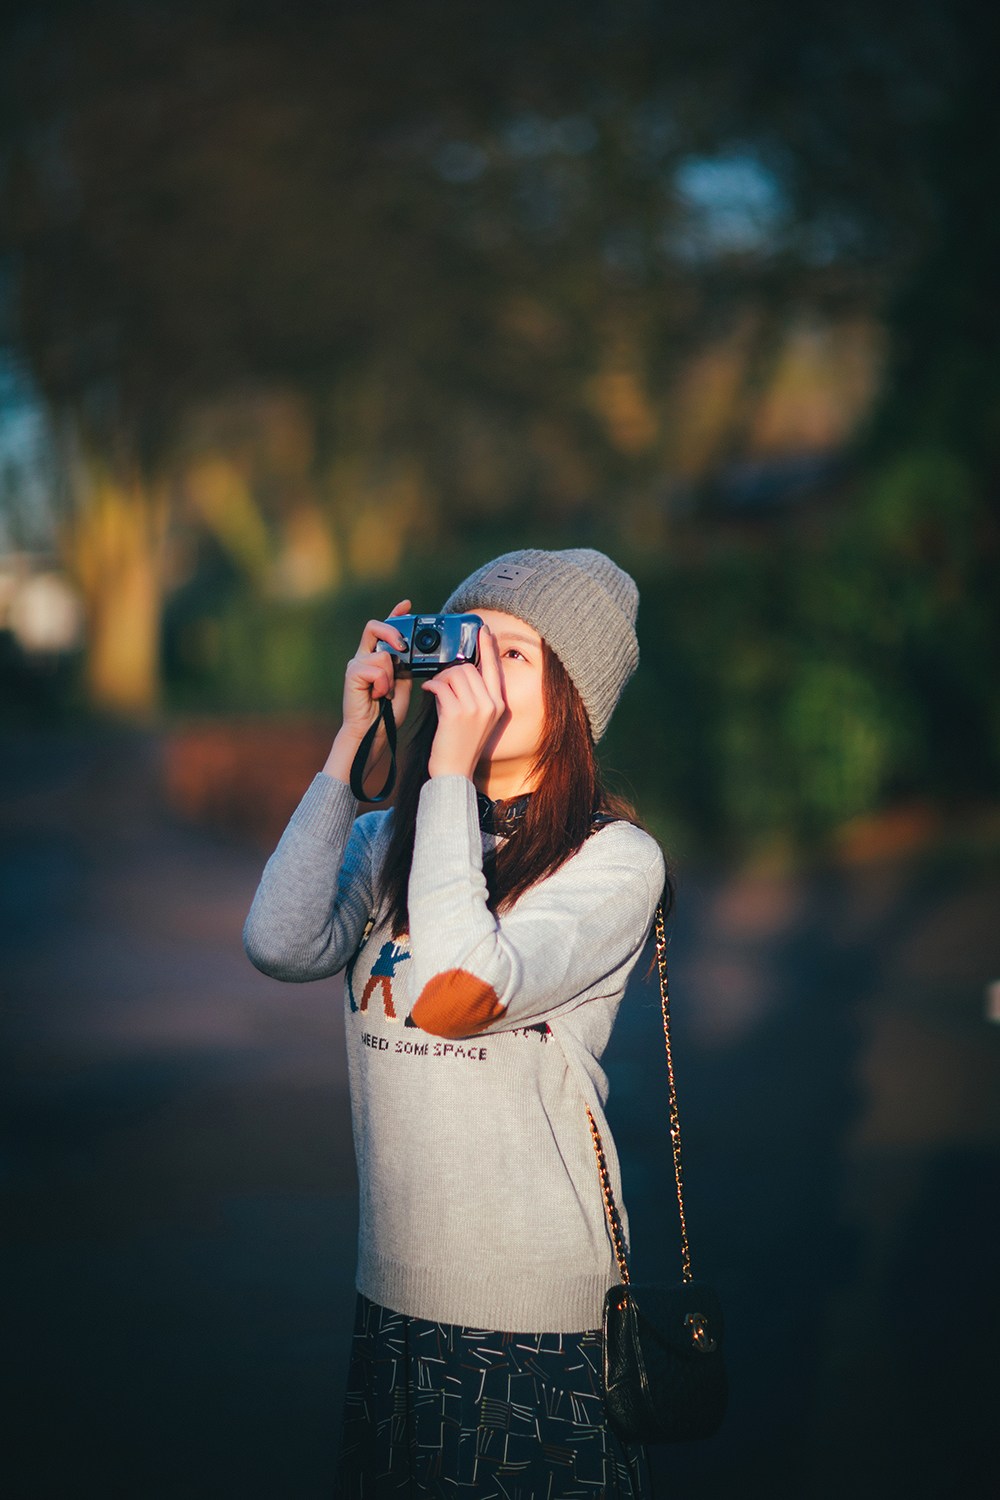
point(855, 1273)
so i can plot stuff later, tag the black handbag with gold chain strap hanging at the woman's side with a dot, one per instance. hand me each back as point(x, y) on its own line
point(665, 1375)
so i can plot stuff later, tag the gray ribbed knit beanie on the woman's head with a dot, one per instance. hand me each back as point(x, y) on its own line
point(581, 602)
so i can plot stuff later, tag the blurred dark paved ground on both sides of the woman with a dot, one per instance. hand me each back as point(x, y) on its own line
point(179, 1184)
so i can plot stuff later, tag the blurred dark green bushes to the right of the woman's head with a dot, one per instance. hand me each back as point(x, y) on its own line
point(788, 689)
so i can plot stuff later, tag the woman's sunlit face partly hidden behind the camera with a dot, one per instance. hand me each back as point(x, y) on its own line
point(510, 752)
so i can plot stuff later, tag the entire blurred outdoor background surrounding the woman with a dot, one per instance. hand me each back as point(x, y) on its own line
point(308, 308)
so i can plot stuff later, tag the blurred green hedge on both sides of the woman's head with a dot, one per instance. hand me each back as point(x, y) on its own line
point(783, 689)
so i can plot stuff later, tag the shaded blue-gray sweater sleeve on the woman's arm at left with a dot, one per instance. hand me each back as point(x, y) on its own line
point(317, 890)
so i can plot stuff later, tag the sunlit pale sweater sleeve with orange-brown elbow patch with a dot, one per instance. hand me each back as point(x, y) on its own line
point(573, 937)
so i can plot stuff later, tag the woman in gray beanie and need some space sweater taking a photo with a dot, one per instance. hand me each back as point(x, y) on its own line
point(488, 928)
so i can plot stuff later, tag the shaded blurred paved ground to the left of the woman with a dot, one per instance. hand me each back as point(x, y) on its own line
point(179, 1178)
